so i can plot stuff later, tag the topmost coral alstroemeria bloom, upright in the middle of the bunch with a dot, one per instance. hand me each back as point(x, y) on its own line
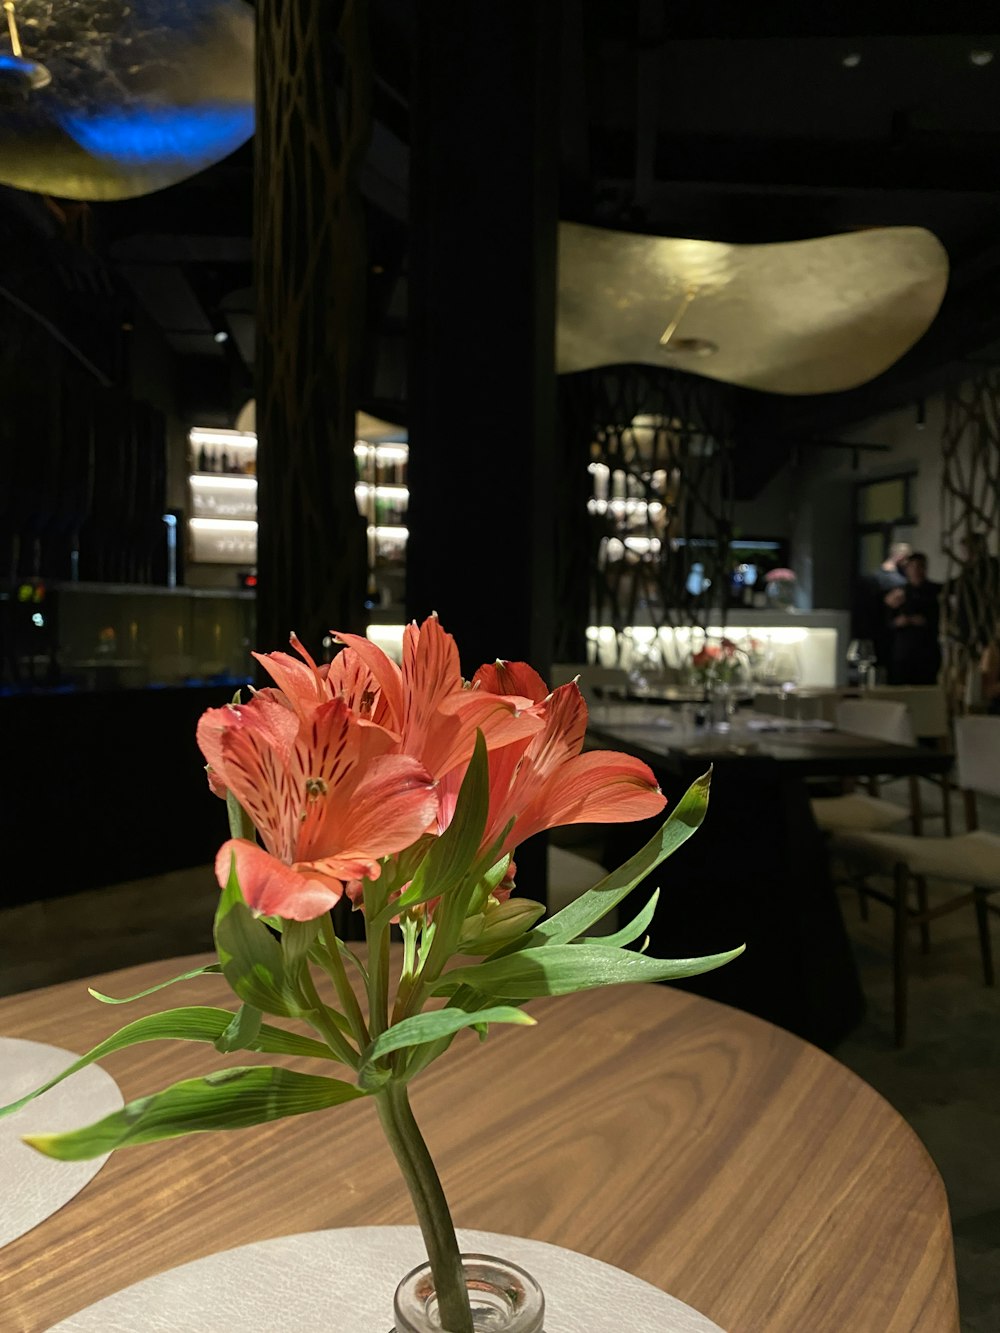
point(429, 704)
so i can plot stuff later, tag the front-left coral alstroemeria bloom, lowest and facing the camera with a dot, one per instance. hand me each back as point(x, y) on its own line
point(325, 788)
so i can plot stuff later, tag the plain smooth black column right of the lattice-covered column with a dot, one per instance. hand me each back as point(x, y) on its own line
point(482, 322)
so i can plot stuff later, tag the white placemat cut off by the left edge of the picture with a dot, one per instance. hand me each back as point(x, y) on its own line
point(34, 1187)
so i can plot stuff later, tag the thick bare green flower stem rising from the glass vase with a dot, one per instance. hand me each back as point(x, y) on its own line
point(431, 1207)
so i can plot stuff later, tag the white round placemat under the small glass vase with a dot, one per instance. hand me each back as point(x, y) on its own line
point(343, 1282)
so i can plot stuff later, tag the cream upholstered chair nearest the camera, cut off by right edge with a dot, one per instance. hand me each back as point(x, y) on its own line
point(970, 859)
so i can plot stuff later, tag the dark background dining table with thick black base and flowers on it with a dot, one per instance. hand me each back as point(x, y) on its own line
point(758, 872)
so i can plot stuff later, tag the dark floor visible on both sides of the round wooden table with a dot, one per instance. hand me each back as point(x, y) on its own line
point(946, 1082)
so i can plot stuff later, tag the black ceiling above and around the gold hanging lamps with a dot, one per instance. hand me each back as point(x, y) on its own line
point(726, 122)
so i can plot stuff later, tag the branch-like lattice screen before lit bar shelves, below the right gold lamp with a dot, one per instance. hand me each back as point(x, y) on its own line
point(651, 461)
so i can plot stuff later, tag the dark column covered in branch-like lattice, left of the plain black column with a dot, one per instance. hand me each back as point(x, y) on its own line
point(314, 117)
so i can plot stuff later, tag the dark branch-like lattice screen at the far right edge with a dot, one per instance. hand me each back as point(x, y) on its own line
point(970, 530)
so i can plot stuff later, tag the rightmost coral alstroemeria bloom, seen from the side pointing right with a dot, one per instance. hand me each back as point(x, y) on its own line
point(545, 780)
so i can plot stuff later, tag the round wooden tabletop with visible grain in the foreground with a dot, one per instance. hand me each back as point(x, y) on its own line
point(698, 1147)
